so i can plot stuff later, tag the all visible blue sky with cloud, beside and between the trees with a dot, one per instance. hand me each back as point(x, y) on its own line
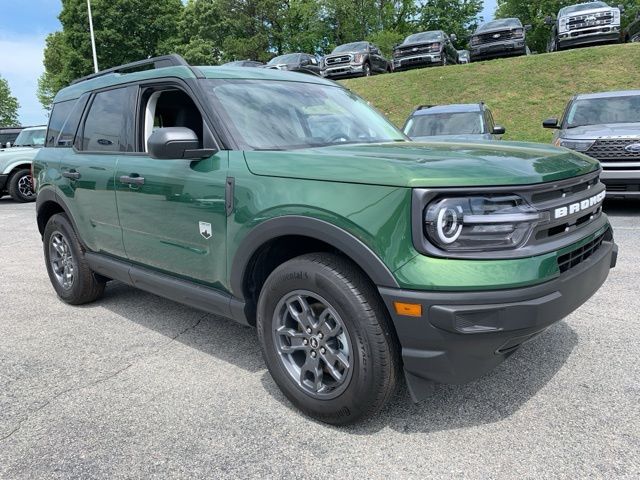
point(24, 25)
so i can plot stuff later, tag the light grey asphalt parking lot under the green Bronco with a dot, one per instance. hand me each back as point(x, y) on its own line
point(138, 386)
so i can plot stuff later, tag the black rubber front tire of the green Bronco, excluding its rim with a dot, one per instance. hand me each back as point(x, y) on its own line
point(304, 274)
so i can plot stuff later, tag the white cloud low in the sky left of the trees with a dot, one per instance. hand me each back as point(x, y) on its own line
point(21, 65)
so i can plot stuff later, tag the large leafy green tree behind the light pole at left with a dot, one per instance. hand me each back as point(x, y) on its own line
point(125, 31)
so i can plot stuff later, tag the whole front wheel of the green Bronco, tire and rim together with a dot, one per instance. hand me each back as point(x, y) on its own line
point(347, 309)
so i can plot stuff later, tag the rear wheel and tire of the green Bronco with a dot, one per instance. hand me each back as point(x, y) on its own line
point(64, 257)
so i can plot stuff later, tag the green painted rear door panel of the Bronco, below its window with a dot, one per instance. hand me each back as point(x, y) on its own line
point(92, 199)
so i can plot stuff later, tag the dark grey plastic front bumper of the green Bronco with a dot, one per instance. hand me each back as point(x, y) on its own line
point(463, 335)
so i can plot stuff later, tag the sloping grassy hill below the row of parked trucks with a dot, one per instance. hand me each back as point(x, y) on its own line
point(520, 91)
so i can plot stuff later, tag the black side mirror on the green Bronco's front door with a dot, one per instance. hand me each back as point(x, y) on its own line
point(173, 143)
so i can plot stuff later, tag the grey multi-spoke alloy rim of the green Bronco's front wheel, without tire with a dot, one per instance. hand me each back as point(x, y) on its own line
point(313, 344)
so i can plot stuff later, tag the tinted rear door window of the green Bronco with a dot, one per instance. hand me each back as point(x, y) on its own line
point(108, 122)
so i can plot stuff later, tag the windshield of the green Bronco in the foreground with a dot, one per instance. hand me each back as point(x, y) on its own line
point(280, 115)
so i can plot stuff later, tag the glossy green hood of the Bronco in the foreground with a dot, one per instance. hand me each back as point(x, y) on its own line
point(427, 164)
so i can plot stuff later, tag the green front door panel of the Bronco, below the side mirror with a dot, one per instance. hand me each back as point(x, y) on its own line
point(161, 218)
